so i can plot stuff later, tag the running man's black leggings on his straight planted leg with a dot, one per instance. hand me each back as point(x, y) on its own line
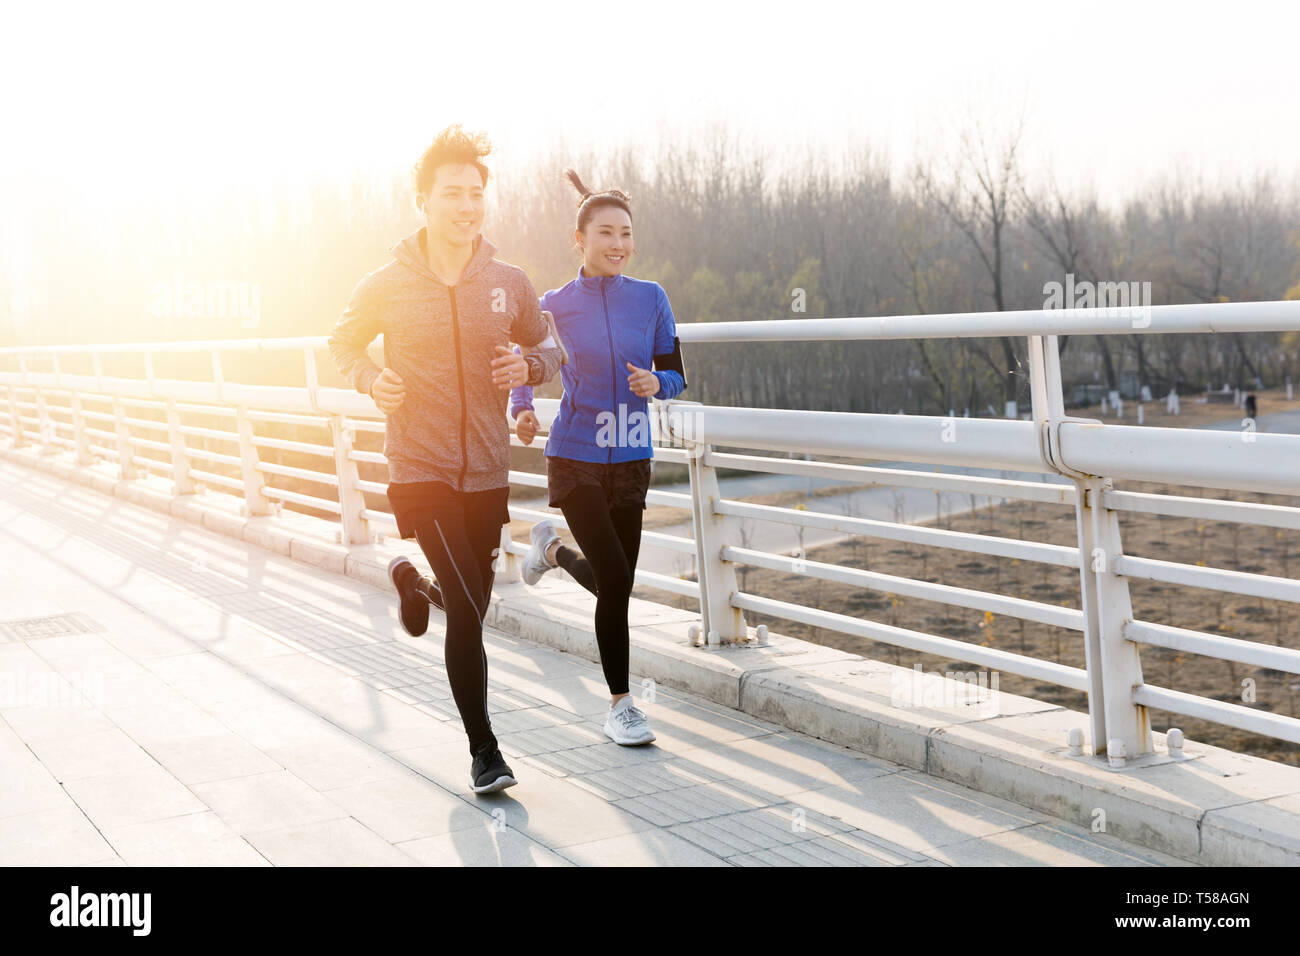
point(460, 548)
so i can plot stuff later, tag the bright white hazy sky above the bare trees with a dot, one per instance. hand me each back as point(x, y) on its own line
point(135, 98)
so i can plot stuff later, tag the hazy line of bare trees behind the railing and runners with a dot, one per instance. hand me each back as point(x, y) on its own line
point(730, 240)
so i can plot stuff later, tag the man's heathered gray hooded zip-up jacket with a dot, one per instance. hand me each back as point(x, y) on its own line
point(452, 426)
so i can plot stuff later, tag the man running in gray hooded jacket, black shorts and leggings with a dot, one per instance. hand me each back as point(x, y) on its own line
point(448, 313)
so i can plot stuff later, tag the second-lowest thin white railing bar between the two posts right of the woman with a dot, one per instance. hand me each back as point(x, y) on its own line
point(908, 587)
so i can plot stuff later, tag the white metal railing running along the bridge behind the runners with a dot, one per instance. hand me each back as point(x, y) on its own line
point(49, 408)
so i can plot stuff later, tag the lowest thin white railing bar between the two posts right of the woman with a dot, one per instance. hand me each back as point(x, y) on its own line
point(1058, 674)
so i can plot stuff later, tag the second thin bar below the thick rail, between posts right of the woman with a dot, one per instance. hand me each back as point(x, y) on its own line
point(913, 534)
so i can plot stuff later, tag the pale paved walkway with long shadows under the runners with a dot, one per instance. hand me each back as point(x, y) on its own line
point(190, 699)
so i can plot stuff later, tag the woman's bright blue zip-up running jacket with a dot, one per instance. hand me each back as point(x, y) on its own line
point(606, 322)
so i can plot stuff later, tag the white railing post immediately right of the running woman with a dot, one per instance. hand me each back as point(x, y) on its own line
point(722, 622)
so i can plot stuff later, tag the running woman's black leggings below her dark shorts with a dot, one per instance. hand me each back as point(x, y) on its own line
point(610, 540)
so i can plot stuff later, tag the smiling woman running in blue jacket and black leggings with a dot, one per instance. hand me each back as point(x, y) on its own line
point(599, 453)
